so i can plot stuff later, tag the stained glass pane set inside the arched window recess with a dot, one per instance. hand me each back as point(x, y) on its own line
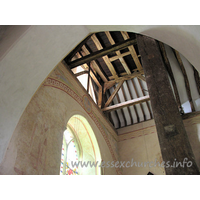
point(69, 154)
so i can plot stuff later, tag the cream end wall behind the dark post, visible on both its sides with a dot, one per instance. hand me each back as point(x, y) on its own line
point(140, 143)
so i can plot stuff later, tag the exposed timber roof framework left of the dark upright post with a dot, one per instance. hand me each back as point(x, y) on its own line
point(109, 84)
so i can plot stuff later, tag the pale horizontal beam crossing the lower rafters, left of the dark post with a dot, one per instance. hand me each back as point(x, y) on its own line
point(127, 103)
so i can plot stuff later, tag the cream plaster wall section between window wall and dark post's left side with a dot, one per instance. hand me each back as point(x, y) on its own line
point(139, 143)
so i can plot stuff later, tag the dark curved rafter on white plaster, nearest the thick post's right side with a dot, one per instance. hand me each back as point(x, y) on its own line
point(169, 70)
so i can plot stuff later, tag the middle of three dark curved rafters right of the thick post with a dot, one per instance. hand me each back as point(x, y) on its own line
point(187, 85)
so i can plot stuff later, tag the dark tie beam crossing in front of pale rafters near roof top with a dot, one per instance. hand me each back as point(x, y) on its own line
point(101, 53)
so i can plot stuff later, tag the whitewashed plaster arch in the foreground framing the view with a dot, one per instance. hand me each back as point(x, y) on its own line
point(36, 52)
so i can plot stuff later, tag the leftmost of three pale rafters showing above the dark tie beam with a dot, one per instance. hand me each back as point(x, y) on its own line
point(105, 58)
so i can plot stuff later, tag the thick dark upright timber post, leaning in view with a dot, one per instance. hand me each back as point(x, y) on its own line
point(175, 147)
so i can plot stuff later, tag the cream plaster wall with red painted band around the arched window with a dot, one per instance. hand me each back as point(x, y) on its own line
point(35, 146)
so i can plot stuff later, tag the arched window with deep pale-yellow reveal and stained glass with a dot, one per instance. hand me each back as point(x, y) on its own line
point(80, 151)
